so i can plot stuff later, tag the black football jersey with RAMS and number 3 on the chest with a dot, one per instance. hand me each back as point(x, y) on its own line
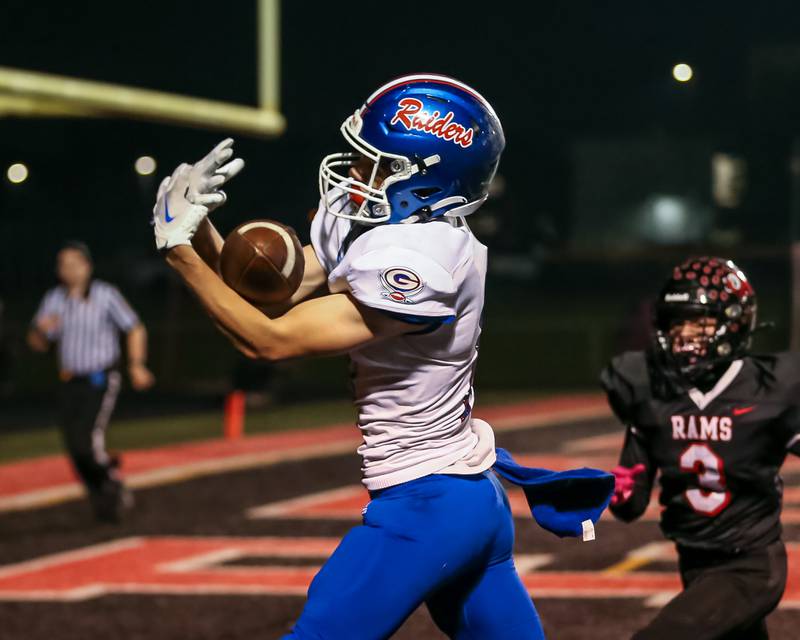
point(718, 452)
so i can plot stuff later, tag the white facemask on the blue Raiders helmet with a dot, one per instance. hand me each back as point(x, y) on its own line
point(369, 198)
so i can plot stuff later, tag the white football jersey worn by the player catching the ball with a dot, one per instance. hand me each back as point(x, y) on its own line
point(413, 392)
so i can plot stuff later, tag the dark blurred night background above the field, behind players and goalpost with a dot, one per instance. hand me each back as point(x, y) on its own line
point(637, 133)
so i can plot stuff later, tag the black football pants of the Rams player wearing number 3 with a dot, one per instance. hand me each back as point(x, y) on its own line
point(724, 597)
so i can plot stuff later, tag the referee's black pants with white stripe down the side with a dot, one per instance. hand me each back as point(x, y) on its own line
point(87, 403)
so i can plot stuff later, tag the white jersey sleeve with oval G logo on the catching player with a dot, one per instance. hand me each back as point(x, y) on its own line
point(399, 280)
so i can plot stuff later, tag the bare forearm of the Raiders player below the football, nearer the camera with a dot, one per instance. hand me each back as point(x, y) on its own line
point(249, 330)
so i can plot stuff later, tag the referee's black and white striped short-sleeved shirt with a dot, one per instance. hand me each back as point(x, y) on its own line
point(88, 335)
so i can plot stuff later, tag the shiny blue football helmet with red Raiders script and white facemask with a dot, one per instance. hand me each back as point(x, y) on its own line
point(434, 141)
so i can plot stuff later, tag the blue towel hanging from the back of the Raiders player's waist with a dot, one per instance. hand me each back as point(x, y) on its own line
point(560, 501)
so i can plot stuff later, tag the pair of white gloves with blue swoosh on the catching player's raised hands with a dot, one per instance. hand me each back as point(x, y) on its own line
point(185, 198)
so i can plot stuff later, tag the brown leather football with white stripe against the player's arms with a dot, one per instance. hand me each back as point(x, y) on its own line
point(262, 260)
